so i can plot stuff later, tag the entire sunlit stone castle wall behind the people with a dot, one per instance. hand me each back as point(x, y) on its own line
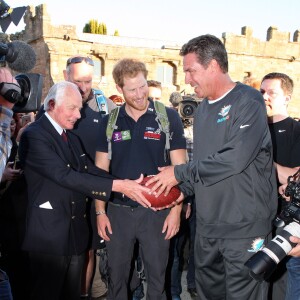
point(54, 44)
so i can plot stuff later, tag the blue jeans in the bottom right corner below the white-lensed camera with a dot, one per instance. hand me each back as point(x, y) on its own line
point(293, 280)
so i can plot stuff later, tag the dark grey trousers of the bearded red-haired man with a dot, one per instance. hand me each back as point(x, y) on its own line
point(145, 226)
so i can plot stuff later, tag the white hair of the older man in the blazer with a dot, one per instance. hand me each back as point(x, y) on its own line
point(57, 92)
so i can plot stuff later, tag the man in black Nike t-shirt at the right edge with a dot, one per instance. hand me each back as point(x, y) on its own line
point(277, 91)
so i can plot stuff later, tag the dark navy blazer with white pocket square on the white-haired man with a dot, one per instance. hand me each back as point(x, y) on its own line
point(59, 181)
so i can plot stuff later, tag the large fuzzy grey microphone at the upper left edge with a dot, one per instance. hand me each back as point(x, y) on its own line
point(19, 56)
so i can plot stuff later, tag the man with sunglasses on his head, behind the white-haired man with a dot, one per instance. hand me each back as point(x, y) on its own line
point(80, 70)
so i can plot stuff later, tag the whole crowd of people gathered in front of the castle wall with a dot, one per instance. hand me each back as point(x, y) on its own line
point(74, 219)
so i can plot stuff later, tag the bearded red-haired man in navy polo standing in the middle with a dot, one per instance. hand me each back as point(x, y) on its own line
point(138, 146)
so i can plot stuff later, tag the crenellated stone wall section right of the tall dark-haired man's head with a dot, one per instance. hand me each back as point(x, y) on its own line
point(277, 54)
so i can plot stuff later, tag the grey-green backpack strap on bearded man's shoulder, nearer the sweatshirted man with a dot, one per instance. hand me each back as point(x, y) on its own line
point(163, 123)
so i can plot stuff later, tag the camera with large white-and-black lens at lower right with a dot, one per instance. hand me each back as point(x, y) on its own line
point(264, 262)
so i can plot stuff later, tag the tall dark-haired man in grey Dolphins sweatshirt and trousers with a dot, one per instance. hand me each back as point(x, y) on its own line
point(232, 174)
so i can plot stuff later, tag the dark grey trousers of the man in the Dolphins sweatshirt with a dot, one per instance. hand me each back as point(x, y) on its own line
point(220, 271)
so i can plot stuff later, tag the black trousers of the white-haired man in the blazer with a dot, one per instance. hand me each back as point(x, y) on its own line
point(55, 277)
